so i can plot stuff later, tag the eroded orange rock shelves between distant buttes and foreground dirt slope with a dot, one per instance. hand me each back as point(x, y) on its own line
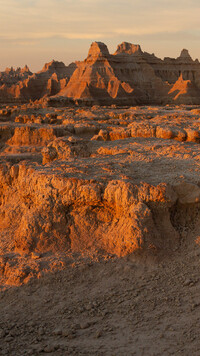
point(109, 181)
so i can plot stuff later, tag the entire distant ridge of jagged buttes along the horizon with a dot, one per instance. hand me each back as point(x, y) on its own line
point(127, 77)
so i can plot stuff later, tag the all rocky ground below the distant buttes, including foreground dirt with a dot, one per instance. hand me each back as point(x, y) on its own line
point(99, 229)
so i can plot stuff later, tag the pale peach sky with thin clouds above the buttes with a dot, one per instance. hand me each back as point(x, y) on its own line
point(34, 32)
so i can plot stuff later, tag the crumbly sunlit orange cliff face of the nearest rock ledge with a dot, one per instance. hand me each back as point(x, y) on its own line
point(51, 212)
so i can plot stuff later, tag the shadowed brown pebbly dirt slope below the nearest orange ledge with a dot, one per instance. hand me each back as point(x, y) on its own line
point(143, 304)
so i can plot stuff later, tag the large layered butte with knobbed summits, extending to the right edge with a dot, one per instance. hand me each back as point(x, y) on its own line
point(131, 76)
